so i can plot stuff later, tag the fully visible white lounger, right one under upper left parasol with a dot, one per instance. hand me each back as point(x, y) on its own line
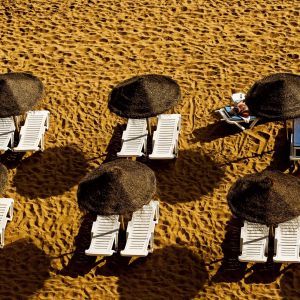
point(32, 132)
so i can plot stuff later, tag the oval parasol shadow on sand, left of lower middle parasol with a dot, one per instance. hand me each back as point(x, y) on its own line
point(50, 173)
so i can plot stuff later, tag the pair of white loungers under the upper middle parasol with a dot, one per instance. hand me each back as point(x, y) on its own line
point(165, 138)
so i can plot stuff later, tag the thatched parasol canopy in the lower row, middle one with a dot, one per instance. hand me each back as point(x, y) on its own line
point(117, 187)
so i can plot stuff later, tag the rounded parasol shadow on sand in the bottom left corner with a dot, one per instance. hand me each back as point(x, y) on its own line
point(23, 271)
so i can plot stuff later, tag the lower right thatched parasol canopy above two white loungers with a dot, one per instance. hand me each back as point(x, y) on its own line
point(269, 197)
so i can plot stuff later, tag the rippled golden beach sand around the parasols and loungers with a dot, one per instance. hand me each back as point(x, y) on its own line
point(80, 50)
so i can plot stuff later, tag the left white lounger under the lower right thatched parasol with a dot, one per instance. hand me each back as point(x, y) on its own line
point(254, 242)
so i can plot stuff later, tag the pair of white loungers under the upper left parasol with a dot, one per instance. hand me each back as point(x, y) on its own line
point(31, 133)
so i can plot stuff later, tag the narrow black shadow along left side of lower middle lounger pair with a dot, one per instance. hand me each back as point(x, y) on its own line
point(81, 264)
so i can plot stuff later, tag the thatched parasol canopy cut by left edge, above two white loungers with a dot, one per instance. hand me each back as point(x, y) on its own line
point(19, 92)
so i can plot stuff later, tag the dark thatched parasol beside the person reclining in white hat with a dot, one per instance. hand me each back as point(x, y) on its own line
point(275, 97)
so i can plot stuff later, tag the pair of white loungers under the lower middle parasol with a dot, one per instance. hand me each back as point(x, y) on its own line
point(139, 233)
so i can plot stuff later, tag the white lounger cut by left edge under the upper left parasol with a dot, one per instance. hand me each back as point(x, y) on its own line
point(7, 130)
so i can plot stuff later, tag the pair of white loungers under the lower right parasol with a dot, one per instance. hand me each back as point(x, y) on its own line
point(255, 240)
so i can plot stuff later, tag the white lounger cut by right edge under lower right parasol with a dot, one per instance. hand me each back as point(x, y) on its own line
point(287, 242)
